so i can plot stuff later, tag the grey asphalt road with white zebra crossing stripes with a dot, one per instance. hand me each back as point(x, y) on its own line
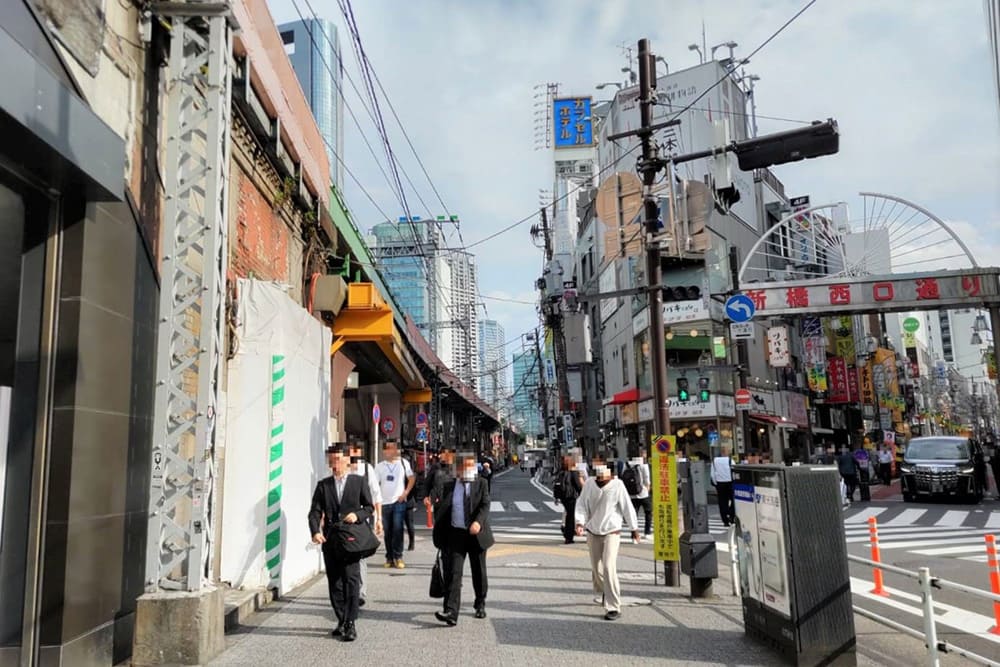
point(947, 537)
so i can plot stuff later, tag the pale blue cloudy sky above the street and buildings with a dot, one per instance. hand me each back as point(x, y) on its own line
point(908, 81)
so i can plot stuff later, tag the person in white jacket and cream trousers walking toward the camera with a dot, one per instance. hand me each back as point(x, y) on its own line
point(602, 510)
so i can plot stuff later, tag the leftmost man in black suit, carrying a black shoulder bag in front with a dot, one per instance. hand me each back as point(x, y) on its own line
point(340, 497)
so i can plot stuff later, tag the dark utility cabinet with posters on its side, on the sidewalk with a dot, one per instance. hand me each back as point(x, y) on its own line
point(794, 579)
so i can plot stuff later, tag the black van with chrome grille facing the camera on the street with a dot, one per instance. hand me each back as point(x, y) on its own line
point(941, 466)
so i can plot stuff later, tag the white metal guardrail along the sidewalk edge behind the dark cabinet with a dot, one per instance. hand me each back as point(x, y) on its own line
point(927, 584)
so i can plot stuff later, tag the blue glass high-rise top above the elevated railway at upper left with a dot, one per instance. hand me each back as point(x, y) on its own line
point(313, 48)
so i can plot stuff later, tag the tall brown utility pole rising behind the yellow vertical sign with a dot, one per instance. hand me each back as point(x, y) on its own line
point(649, 166)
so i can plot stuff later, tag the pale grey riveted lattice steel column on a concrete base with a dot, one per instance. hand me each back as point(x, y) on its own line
point(192, 295)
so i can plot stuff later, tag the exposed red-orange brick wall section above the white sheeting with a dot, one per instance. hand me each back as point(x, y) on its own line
point(261, 245)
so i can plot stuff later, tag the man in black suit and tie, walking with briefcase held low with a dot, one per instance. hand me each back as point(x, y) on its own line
point(462, 528)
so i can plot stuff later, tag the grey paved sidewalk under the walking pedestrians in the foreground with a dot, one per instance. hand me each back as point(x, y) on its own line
point(541, 612)
